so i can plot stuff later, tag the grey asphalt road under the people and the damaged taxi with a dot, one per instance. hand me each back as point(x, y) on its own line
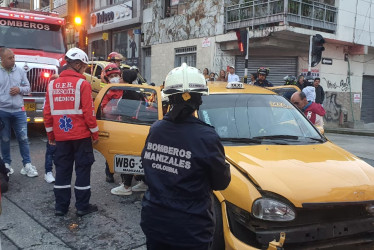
point(28, 220)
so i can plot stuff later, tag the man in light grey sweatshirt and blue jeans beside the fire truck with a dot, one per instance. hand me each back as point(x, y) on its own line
point(13, 85)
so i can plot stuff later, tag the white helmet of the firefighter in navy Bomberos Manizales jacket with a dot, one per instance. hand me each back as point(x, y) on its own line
point(185, 79)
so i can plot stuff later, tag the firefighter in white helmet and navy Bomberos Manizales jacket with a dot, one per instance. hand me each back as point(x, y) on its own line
point(184, 161)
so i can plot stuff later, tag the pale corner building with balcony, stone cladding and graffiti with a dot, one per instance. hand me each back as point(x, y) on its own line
point(202, 33)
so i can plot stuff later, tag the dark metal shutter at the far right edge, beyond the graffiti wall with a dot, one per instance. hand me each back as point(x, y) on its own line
point(367, 108)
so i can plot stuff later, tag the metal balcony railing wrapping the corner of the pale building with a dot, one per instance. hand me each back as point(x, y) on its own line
point(303, 13)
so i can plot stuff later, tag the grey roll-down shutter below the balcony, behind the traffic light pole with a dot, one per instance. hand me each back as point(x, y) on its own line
point(279, 67)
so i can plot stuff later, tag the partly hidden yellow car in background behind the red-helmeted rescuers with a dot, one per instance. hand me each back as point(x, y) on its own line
point(93, 74)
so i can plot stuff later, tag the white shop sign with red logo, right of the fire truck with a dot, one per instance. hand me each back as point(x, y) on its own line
point(113, 14)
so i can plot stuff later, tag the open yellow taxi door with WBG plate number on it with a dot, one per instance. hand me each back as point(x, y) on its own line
point(124, 114)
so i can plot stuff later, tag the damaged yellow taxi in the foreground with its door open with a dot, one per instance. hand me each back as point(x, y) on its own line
point(287, 178)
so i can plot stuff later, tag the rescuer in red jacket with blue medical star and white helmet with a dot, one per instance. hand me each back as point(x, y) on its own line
point(70, 122)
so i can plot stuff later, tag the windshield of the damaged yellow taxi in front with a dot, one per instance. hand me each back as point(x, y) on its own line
point(257, 118)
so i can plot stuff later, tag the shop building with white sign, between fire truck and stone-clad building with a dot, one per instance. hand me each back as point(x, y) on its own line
point(114, 25)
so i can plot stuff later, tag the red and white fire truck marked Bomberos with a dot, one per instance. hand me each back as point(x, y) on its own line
point(38, 42)
